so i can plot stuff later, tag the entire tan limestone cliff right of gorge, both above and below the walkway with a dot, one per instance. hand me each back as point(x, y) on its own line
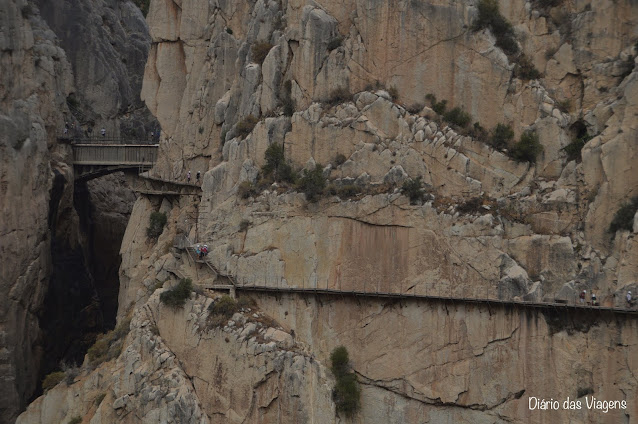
point(538, 232)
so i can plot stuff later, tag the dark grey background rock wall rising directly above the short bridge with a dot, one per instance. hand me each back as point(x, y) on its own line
point(107, 44)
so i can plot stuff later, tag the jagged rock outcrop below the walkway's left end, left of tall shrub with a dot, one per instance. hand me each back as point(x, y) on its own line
point(178, 367)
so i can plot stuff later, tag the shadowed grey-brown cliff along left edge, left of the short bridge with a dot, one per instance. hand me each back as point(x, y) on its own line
point(35, 78)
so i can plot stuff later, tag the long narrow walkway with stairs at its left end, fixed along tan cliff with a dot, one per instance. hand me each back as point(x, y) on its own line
point(234, 284)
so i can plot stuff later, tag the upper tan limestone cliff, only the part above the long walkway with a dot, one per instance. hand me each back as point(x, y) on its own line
point(545, 235)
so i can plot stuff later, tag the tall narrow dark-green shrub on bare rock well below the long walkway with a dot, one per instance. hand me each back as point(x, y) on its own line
point(346, 393)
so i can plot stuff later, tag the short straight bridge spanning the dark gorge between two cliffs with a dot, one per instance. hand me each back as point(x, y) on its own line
point(97, 156)
